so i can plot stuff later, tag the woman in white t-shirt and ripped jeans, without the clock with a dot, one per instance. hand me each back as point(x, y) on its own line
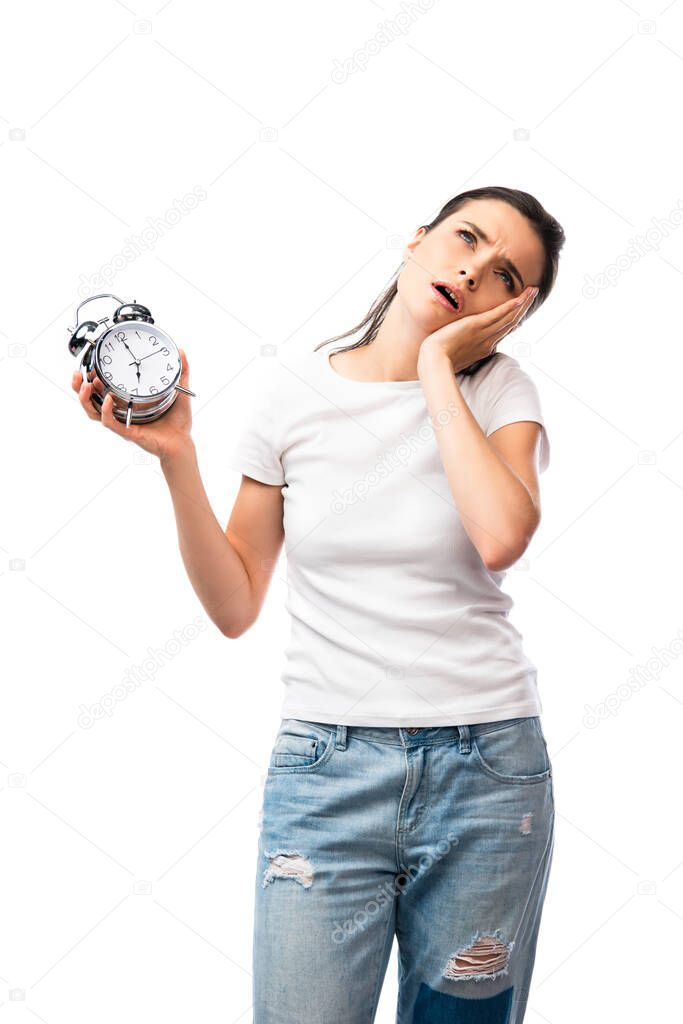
point(410, 790)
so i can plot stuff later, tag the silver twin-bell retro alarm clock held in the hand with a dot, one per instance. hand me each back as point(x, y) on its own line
point(138, 363)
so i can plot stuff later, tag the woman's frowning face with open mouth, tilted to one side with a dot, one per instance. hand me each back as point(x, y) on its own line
point(479, 272)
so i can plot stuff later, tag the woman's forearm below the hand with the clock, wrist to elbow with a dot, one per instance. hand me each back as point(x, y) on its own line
point(217, 572)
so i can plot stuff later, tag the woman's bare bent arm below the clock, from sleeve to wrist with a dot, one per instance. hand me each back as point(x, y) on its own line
point(230, 570)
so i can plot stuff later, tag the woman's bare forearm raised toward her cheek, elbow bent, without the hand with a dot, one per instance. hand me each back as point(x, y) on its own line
point(496, 507)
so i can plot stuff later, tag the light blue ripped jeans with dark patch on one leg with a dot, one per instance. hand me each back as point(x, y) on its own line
point(443, 837)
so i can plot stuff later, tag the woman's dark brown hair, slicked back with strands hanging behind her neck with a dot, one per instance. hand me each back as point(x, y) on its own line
point(548, 230)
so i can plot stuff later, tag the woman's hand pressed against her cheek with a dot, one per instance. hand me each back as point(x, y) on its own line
point(475, 337)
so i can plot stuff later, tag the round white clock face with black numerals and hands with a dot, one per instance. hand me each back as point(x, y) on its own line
point(136, 359)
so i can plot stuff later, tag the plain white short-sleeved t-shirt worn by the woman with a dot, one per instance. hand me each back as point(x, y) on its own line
point(396, 621)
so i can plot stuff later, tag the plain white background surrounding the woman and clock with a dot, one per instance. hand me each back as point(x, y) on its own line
point(130, 848)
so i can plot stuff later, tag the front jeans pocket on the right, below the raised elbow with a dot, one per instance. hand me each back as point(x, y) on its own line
point(515, 753)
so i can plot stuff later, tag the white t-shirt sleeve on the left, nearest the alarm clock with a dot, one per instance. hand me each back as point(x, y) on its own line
point(258, 452)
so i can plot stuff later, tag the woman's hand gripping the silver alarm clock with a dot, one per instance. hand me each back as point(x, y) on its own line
point(163, 438)
